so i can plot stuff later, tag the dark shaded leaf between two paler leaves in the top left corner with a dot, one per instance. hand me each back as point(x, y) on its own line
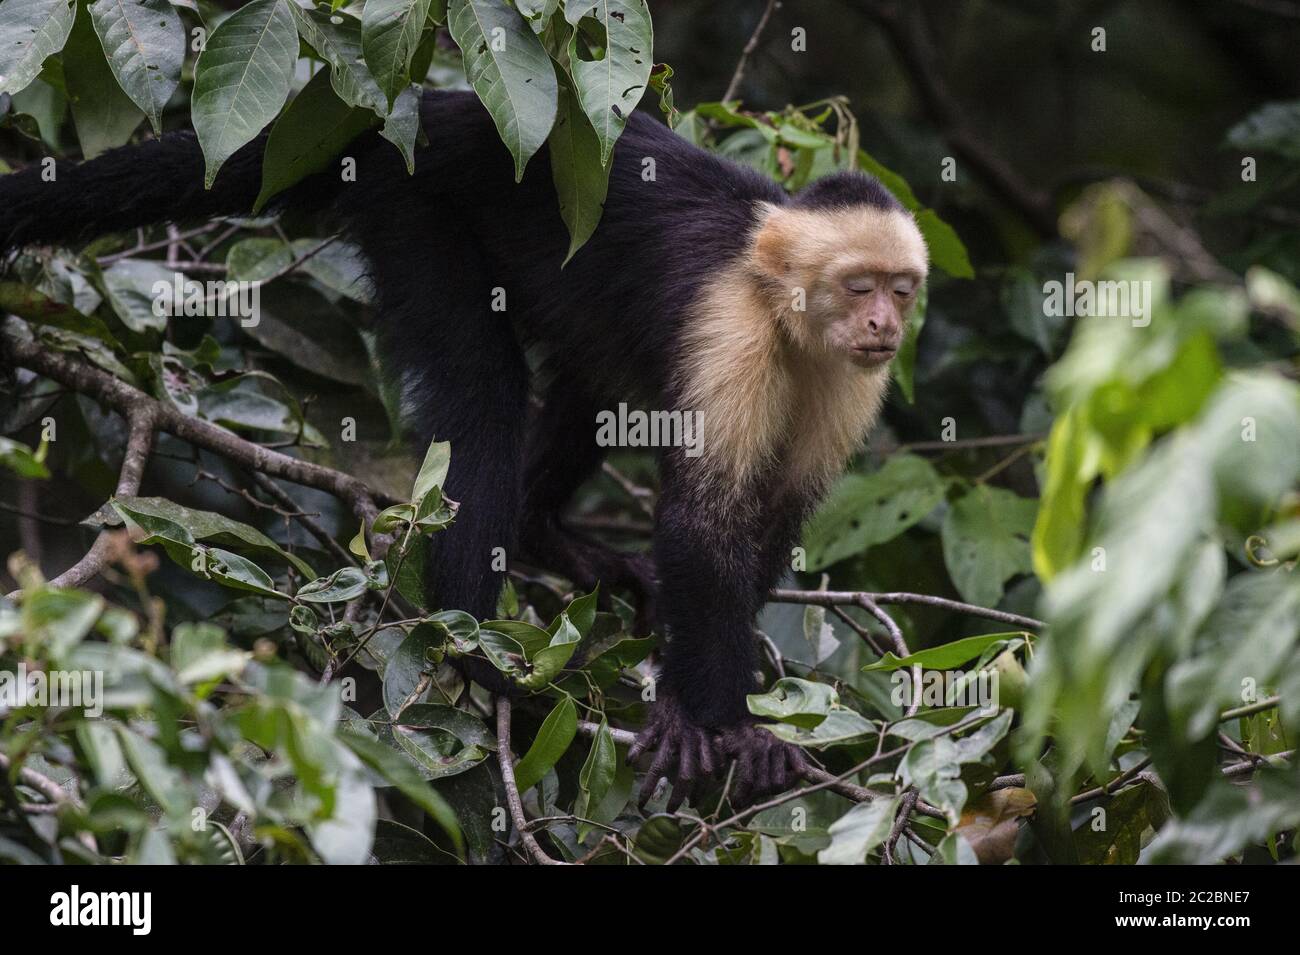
point(105, 116)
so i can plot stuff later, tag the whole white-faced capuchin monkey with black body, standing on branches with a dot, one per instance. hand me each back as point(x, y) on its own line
point(707, 289)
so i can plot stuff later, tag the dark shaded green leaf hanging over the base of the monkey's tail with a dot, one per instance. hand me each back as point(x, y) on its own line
point(317, 128)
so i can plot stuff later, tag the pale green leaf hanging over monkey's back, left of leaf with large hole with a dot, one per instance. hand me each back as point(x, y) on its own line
point(510, 71)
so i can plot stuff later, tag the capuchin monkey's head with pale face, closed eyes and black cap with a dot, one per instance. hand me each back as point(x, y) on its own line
point(846, 262)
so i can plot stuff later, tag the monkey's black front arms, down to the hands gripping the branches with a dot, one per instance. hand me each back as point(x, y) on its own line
point(716, 565)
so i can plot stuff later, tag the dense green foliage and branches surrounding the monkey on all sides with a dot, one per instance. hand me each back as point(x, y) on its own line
point(1119, 570)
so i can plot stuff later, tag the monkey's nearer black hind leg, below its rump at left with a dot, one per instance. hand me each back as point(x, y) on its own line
point(463, 380)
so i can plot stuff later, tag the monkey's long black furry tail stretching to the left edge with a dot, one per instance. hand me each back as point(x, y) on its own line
point(150, 183)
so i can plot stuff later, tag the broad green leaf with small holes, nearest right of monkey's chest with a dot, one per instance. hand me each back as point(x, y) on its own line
point(866, 510)
